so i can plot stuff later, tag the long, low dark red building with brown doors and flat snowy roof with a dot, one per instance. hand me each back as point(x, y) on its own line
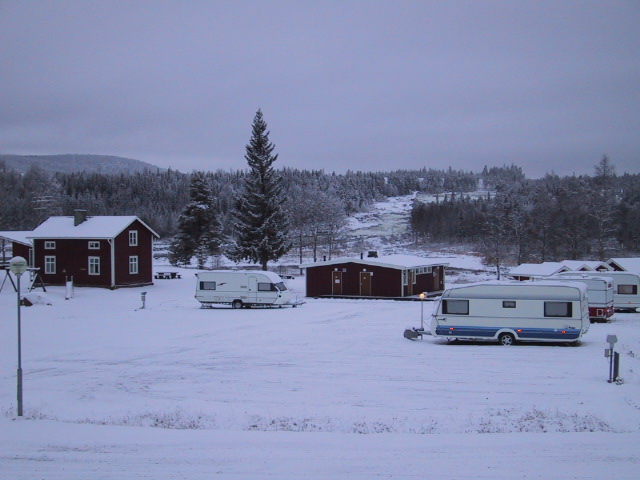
point(392, 276)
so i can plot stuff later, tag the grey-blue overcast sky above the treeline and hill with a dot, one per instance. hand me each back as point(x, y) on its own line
point(361, 85)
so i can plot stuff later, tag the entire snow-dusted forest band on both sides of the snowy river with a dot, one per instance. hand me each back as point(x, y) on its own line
point(516, 219)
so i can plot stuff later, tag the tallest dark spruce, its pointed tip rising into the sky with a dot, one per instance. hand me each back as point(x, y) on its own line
point(260, 225)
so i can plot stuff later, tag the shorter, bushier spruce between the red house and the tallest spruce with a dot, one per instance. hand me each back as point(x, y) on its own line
point(199, 230)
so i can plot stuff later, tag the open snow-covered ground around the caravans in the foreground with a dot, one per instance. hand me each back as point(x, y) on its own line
point(330, 389)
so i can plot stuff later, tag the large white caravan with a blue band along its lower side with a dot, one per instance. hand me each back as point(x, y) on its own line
point(512, 311)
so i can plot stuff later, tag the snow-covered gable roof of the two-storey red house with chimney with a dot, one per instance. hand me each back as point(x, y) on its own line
point(103, 227)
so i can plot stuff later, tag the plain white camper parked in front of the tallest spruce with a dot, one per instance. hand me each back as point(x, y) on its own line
point(243, 288)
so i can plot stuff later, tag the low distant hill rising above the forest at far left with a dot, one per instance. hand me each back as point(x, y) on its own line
point(69, 163)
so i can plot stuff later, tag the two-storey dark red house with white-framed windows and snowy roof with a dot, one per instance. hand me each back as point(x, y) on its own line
point(100, 251)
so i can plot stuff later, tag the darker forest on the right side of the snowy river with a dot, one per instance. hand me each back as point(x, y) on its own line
point(547, 219)
